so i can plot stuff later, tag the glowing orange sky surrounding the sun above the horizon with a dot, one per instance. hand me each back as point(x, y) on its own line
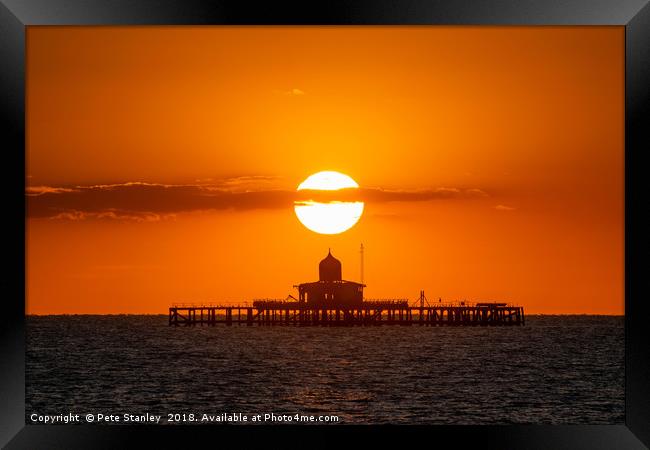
point(128, 128)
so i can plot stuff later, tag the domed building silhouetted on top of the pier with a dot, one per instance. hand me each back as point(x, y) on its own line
point(331, 289)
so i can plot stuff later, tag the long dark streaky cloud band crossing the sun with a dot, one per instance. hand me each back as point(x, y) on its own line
point(149, 202)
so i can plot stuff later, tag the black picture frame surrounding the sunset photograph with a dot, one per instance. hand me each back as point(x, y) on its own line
point(634, 15)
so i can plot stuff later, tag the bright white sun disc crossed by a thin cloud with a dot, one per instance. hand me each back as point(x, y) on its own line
point(333, 217)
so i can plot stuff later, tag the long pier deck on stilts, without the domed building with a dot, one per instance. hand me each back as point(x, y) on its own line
point(369, 313)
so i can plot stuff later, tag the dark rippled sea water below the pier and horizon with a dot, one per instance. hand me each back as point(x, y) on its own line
point(556, 369)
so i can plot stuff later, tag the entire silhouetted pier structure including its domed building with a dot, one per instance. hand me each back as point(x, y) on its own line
point(333, 301)
